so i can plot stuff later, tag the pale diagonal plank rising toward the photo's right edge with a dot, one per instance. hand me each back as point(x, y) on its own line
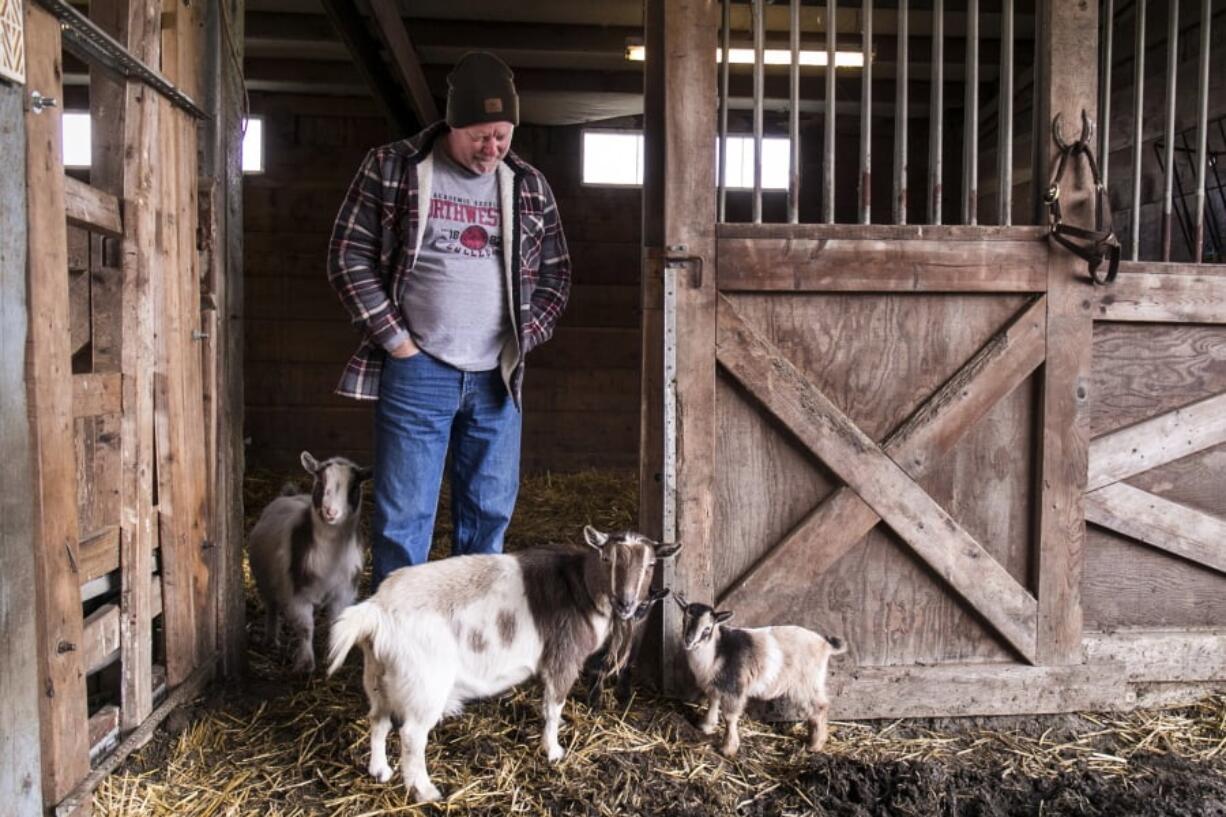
point(1158, 441)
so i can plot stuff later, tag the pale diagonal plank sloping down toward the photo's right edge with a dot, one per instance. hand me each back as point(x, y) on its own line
point(1167, 526)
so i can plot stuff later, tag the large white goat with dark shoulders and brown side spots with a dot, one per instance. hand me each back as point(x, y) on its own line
point(438, 635)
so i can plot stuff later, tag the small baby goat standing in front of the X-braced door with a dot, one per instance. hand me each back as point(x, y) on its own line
point(733, 665)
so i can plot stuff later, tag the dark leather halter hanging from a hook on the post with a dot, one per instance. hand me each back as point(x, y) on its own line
point(1094, 246)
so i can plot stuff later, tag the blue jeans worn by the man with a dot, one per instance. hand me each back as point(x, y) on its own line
point(426, 408)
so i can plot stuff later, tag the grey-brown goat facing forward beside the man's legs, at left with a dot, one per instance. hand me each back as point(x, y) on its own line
point(306, 551)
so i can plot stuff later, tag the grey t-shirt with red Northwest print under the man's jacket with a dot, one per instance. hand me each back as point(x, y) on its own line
point(455, 300)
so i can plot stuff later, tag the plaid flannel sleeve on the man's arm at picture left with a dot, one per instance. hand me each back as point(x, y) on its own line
point(355, 258)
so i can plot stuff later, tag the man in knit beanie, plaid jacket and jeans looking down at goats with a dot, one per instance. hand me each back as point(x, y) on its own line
point(449, 257)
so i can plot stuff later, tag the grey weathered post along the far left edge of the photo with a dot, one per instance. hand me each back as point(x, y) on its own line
point(20, 754)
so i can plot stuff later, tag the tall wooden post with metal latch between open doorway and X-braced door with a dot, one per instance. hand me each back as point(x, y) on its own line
point(690, 215)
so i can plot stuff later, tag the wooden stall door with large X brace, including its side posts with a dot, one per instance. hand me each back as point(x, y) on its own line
point(881, 431)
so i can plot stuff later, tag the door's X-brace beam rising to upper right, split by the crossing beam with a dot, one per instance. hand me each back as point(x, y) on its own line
point(843, 520)
